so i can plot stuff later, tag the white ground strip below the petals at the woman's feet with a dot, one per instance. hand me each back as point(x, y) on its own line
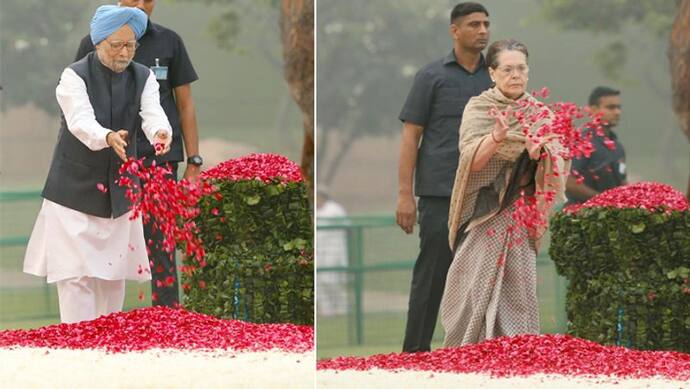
point(377, 378)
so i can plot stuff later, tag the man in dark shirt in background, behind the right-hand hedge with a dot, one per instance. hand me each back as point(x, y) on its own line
point(605, 168)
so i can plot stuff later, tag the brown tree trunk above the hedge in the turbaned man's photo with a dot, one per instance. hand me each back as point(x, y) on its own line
point(297, 30)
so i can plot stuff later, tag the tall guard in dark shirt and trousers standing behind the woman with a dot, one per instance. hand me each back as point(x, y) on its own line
point(433, 111)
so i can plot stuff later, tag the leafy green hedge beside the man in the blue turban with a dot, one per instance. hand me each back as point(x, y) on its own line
point(259, 257)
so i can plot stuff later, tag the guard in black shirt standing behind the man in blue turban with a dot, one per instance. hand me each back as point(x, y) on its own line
point(163, 51)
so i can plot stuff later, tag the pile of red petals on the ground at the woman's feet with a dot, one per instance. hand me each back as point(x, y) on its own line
point(529, 354)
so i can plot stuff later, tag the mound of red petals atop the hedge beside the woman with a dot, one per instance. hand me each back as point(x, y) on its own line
point(651, 196)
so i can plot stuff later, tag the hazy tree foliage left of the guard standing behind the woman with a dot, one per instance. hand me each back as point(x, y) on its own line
point(382, 44)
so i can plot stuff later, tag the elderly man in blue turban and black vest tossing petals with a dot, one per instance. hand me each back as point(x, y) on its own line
point(83, 238)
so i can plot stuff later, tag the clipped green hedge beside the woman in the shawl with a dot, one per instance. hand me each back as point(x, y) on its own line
point(628, 275)
